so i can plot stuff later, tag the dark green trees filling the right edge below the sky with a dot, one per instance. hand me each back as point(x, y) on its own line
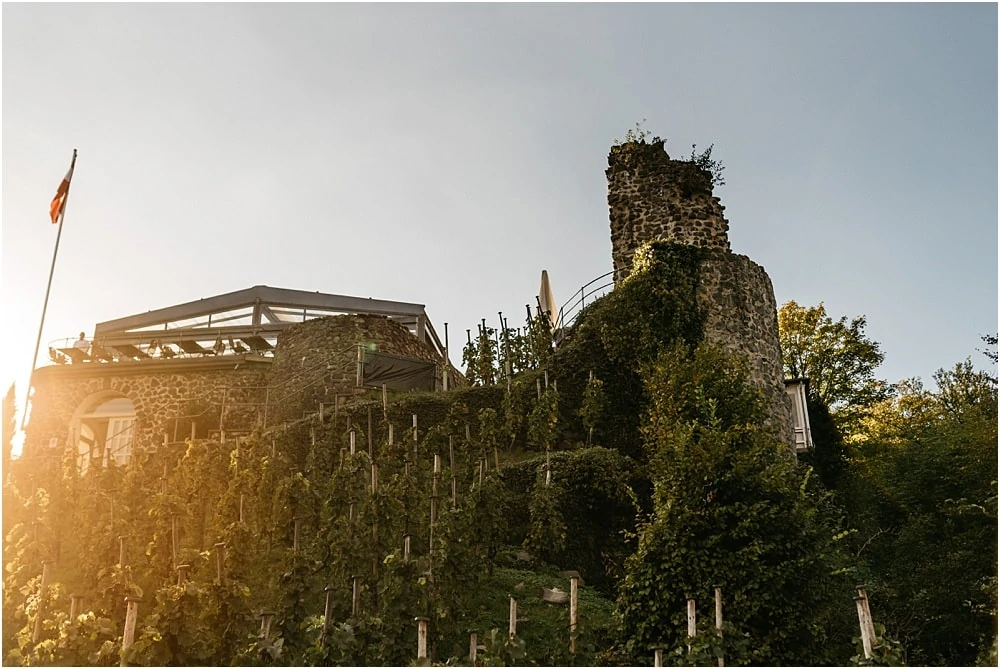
point(922, 497)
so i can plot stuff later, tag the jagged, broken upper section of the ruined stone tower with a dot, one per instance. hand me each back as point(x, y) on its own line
point(651, 197)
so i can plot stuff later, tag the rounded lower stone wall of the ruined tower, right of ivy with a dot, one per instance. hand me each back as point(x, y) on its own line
point(741, 316)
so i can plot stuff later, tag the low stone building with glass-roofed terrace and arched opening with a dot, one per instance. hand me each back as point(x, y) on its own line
point(224, 365)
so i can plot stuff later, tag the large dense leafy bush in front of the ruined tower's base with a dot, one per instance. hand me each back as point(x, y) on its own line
point(730, 509)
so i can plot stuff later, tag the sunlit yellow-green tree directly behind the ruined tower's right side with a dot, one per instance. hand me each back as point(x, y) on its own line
point(836, 357)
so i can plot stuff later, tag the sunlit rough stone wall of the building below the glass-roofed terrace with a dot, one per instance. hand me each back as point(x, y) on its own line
point(314, 362)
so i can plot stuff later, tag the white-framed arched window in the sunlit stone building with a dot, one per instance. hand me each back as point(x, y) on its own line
point(105, 432)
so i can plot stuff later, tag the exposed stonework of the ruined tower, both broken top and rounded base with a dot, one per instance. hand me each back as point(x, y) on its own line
point(654, 198)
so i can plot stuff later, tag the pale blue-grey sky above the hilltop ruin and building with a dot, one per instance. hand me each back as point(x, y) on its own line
point(446, 154)
